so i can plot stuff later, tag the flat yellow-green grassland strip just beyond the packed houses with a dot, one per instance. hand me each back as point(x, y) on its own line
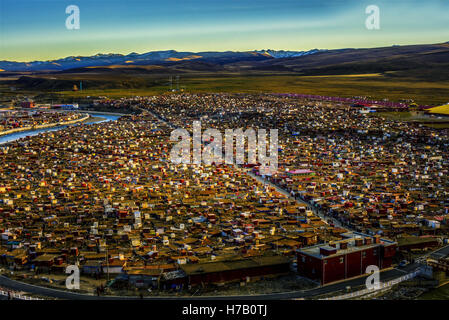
point(378, 86)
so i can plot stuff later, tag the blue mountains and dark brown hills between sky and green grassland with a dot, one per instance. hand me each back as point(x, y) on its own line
point(427, 62)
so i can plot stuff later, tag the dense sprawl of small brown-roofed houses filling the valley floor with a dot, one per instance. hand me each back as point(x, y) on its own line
point(107, 197)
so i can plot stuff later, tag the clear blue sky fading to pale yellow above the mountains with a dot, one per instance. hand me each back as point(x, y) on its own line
point(35, 29)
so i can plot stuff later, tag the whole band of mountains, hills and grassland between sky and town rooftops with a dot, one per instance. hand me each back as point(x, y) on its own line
point(419, 72)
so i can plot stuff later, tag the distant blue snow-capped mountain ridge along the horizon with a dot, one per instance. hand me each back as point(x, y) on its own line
point(149, 58)
